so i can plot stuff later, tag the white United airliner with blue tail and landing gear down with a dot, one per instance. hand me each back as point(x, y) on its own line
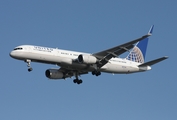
point(74, 63)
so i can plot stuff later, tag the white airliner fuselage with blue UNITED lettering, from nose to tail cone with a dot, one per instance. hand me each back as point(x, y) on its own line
point(68, 59)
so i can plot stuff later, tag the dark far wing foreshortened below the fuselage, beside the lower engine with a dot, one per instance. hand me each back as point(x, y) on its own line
point(70, 73)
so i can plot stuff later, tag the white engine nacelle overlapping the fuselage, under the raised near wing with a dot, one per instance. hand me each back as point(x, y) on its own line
point(88, 59)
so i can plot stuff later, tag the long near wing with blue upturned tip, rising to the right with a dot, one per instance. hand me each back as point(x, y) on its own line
point(106, 55)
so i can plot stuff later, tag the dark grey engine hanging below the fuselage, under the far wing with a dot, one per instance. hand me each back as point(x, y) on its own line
point(54, 74)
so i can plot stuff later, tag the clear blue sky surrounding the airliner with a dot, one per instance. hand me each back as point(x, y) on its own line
point(88, 26)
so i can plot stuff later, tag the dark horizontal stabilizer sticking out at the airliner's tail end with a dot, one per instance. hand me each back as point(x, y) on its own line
point(153, 62)
